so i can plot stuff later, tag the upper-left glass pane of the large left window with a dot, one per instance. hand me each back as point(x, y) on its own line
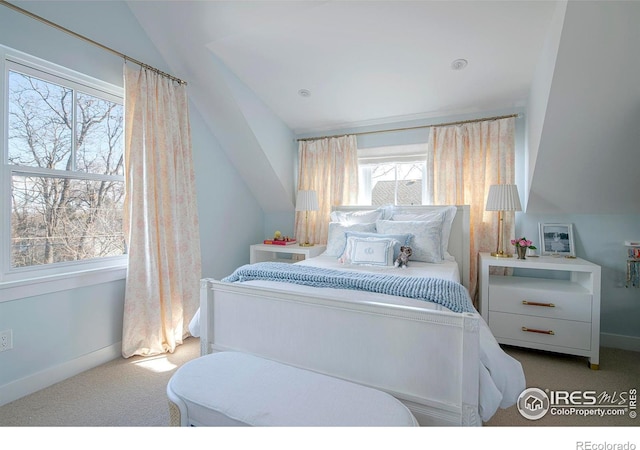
point(40, 123)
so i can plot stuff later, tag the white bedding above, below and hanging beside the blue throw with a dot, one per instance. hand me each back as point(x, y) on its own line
point(501, 377)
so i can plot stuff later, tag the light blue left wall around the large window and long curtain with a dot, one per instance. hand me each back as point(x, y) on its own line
point(61, 332)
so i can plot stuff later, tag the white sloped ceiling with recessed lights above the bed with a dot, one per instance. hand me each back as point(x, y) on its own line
point(375, 62)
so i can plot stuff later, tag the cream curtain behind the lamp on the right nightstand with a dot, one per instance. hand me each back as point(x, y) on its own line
point(462, 162)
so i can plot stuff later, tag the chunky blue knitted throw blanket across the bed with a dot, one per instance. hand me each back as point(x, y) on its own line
point(449, 294)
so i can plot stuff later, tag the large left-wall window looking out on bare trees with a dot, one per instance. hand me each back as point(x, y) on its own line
point(64, 169)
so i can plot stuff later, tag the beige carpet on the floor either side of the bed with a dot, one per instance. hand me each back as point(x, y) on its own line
point(132, 392)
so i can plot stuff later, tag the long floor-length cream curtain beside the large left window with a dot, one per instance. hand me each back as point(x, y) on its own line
point(160, 217)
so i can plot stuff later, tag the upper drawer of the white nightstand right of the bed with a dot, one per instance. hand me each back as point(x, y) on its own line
point(544, 300)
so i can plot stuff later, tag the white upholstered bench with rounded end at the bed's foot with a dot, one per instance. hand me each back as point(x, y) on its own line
point(234, 388)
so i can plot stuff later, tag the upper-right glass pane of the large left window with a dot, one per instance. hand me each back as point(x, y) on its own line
point(99, 132)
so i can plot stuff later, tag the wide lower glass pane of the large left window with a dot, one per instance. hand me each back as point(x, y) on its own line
point(58, 219)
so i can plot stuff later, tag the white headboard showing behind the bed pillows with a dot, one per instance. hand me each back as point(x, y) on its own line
point(459, 240)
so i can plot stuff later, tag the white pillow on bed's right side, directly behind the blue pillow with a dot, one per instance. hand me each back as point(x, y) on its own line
point(427, 237)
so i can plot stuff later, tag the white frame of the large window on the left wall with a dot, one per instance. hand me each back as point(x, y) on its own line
point(97, 269)
